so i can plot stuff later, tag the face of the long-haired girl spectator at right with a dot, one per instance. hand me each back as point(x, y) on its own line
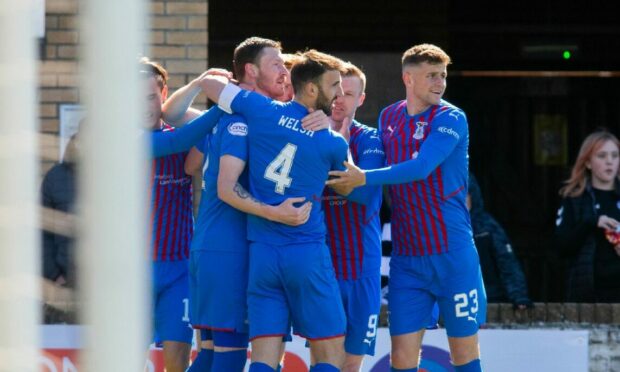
point(604, 164)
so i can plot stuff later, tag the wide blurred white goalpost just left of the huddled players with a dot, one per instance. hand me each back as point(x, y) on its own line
point(114, 189)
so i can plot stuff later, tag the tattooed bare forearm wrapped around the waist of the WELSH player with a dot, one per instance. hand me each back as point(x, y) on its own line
point(232, 192)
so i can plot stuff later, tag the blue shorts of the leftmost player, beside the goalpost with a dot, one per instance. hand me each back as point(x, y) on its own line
point(171, 302)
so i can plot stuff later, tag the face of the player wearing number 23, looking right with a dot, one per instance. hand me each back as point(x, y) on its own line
point(425, 84)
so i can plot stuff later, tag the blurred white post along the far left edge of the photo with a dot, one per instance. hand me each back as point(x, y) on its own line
point(19, 243)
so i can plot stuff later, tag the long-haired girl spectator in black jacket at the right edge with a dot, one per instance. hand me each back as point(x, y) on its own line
point(588, 231)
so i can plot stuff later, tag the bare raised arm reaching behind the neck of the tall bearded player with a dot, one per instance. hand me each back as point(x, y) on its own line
point(176, 111)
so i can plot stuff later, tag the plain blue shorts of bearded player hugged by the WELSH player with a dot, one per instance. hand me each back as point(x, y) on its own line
point(218, 287)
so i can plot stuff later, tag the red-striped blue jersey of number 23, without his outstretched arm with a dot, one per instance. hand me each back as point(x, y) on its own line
point(429, 216)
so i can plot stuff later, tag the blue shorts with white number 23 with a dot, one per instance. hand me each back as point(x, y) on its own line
point(453, 280)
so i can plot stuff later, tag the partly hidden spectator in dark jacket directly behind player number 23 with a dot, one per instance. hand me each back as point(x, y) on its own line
point(503, 279)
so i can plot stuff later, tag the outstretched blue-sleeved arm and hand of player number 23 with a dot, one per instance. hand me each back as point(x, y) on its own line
point(434, 151)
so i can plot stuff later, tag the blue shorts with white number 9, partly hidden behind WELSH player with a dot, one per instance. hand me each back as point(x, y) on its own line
point(362, 302)
